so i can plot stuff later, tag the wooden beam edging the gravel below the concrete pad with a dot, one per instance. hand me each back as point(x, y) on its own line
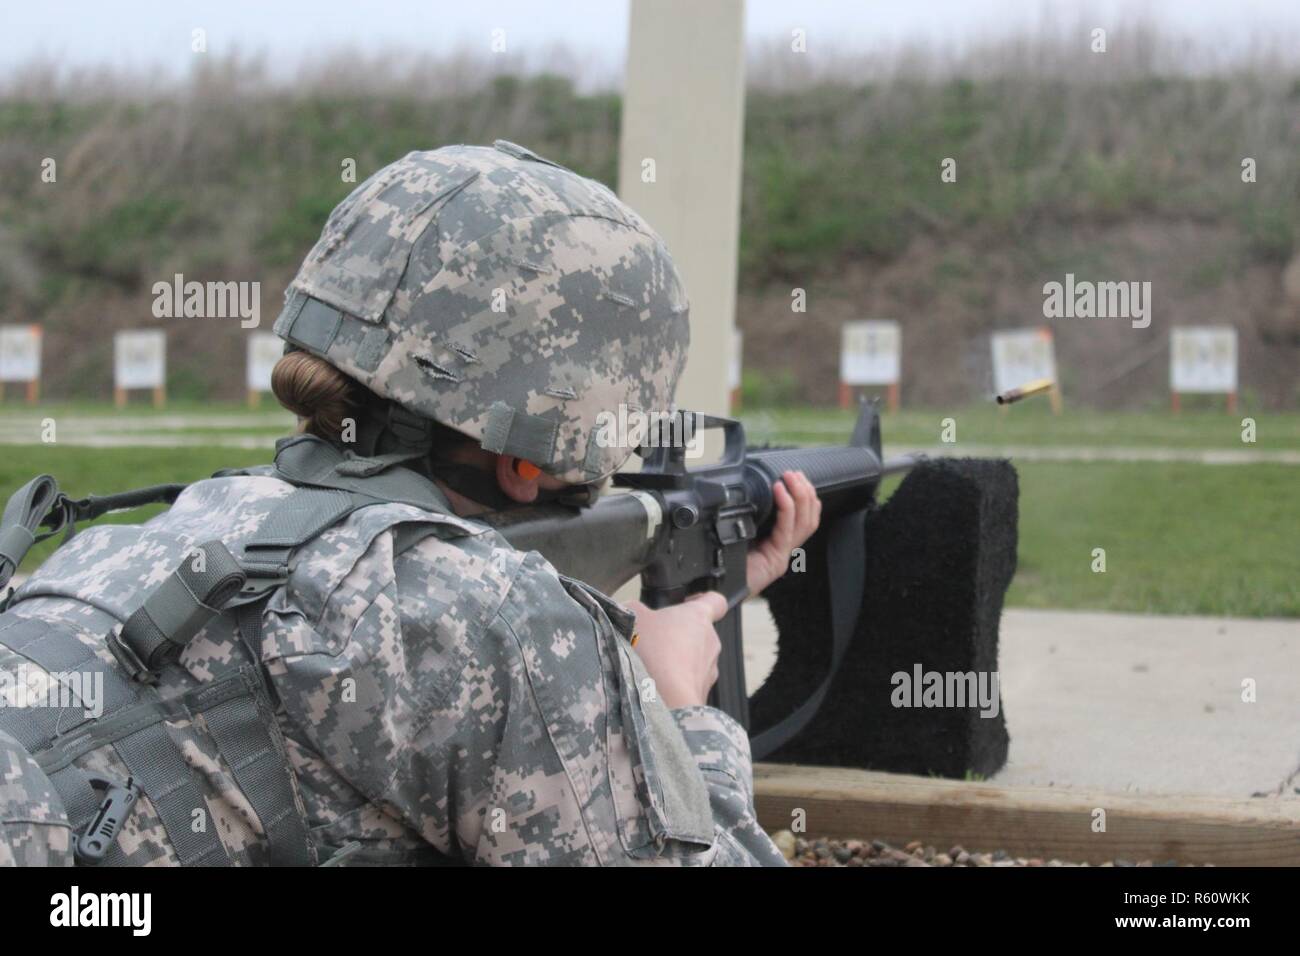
point(1029, 821)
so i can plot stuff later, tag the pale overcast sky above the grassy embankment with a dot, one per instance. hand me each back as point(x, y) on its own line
point(155, 34)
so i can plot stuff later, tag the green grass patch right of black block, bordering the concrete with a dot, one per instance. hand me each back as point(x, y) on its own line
point(1180, 538)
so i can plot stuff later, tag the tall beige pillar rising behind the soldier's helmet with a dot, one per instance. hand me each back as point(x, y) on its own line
point(684, 110)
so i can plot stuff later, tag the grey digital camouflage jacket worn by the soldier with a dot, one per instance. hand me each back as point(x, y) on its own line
point(439, 695)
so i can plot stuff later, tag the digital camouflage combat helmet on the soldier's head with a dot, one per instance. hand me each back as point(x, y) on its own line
point(502, 296)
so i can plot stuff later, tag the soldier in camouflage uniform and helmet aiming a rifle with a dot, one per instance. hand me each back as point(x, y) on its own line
point(436, 695)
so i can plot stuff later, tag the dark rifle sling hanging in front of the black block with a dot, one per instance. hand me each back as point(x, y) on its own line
point(846, 555)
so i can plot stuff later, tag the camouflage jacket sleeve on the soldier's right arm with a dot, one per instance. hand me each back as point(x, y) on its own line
point(551, 747)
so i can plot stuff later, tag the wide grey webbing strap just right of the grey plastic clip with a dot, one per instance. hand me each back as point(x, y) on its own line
point(157, 765)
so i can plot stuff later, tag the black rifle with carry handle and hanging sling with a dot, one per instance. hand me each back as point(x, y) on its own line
point(690, 530)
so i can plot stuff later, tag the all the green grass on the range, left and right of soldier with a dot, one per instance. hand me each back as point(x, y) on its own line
point(1180, 538)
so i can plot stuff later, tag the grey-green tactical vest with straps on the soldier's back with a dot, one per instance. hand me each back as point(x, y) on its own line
point(115, 630)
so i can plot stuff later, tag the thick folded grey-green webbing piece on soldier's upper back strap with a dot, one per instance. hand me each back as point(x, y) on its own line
point(183, 605)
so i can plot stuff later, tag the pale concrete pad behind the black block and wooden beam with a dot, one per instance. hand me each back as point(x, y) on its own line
point(1129, 703)
